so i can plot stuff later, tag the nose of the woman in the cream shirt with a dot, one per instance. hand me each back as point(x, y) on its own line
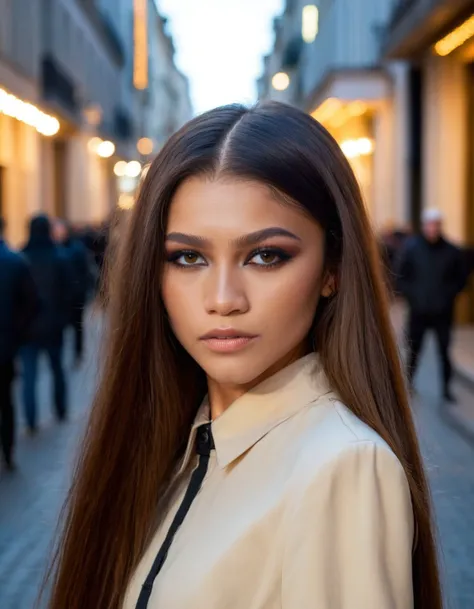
point(225, 293)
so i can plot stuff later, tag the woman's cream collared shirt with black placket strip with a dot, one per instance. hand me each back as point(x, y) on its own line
point(303, 507)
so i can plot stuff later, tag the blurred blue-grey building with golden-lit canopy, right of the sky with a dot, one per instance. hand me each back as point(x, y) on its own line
point(329, 53)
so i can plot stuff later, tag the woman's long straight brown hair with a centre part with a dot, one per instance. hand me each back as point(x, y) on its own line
point(150, 388)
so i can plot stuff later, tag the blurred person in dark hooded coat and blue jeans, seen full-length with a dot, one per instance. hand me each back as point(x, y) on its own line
point(53, 279)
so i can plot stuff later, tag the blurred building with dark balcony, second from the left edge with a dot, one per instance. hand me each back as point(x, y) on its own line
point(82, 63)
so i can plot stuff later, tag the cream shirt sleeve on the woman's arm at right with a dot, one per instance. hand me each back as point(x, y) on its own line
point(349, 535)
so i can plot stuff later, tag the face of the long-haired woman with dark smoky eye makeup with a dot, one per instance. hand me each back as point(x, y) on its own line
point(243, 277)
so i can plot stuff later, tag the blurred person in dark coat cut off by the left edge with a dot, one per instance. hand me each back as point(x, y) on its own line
point(18, 307)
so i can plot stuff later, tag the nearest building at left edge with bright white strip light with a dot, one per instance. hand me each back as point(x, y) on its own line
point(21, 183)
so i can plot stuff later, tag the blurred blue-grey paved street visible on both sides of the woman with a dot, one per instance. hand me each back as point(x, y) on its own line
point(30, 500)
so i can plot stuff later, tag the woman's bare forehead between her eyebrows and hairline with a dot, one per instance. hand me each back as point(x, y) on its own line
point(204, 205)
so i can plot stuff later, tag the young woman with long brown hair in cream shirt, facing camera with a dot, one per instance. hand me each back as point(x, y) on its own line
point(249, 274)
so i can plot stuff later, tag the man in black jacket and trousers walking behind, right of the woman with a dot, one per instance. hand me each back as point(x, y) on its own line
point(431, 273)
